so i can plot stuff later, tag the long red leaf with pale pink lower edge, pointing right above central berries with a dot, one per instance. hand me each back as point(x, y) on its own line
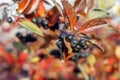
point(91, 24)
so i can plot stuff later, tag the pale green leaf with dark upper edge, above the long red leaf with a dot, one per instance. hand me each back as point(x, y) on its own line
point(98, 13)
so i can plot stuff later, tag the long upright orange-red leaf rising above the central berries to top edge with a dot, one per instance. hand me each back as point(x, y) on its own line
point(70, 13)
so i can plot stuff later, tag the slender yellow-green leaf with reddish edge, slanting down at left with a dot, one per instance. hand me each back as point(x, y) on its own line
point(32, 27)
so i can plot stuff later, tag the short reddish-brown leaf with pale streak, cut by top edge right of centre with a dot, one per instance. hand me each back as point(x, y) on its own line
point(80, 5)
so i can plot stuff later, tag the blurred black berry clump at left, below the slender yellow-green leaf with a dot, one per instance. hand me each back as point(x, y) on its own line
point(27, 38)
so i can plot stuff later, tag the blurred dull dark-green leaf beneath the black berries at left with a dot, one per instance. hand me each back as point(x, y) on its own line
point(20, 46)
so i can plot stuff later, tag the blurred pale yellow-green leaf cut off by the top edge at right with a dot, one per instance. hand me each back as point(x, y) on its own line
point(106, 4)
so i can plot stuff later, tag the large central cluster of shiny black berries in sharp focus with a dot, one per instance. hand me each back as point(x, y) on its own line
point(77, 44)
